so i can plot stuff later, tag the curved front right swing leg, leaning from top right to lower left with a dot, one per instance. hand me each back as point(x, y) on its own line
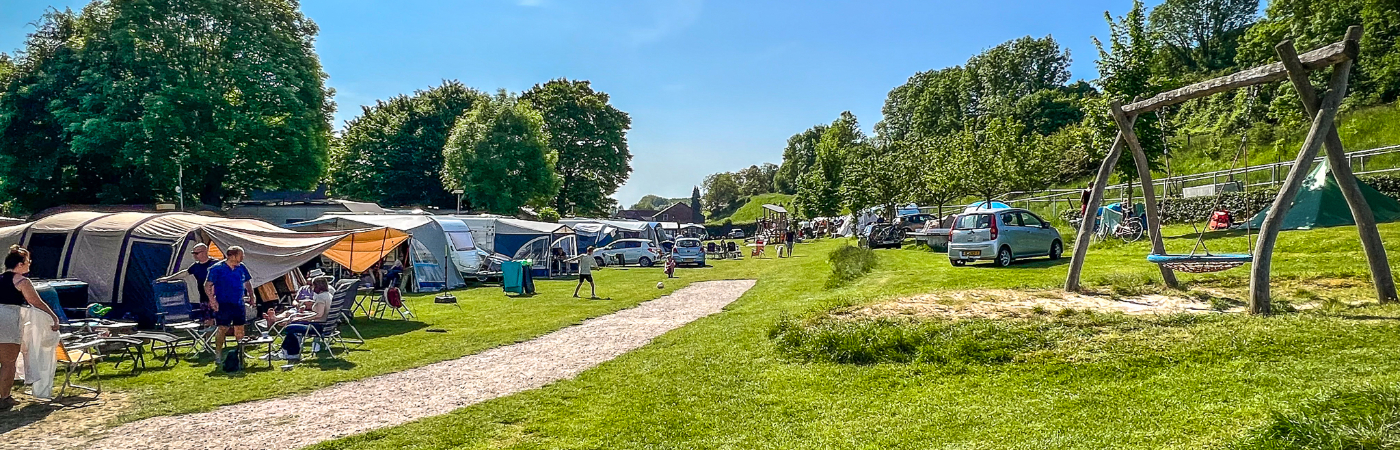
point(1324, 123)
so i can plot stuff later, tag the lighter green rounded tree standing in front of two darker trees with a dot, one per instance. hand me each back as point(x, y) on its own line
point(500, 156)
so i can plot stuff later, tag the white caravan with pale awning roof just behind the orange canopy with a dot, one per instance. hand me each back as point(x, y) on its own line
point(430, 254)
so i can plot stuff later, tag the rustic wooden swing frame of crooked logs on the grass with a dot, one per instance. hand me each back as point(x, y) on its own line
point(1324, 132)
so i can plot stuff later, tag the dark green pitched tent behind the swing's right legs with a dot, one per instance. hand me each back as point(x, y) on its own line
point(1319, 204)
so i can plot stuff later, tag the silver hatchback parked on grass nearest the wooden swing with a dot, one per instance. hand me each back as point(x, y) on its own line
point(1003, 236)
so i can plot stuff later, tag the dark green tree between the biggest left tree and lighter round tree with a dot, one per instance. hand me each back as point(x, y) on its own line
point(393, 154)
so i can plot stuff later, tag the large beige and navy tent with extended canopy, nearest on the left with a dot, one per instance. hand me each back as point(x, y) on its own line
point(120, 254)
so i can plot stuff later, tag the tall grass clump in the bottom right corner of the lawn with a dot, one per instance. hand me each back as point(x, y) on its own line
point(1359, 420)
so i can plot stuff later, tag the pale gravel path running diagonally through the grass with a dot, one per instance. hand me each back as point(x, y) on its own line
point(395, 399)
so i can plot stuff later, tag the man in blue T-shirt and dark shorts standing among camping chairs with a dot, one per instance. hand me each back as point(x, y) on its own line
point(229, 287)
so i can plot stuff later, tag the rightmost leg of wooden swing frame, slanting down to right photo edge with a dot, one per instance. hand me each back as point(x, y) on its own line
point(1342, 172)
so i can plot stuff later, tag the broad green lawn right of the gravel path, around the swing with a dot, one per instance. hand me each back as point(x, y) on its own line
point(1105, 382)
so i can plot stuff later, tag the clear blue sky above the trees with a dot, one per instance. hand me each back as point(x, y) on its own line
point(710, 86)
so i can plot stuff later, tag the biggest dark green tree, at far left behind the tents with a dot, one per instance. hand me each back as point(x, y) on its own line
point(107, 106)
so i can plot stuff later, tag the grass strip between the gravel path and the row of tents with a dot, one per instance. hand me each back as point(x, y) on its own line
point(488, 319)
